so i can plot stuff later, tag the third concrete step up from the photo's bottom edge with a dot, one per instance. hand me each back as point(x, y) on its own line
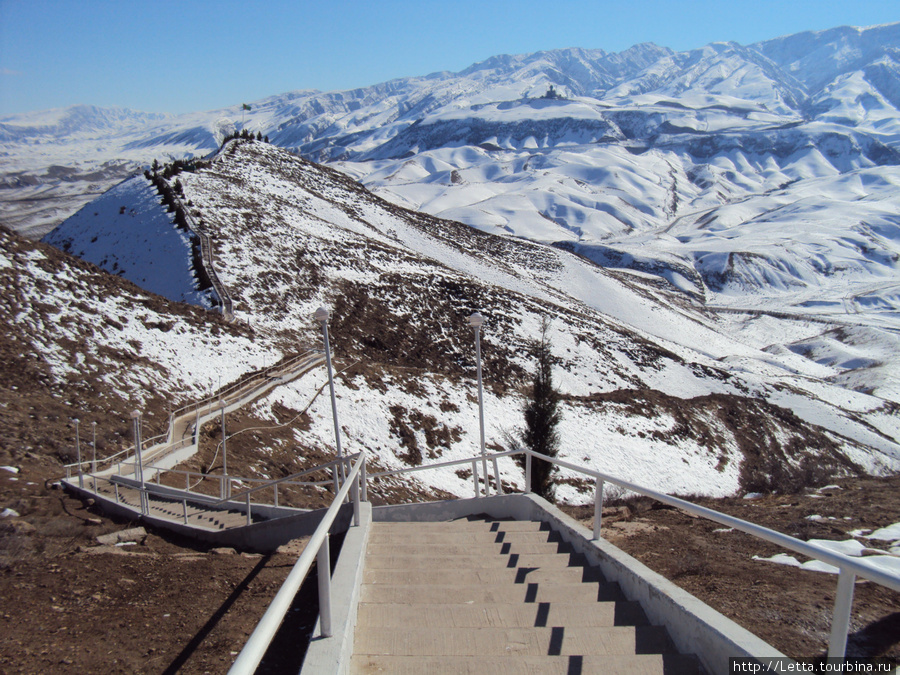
point(520, 615)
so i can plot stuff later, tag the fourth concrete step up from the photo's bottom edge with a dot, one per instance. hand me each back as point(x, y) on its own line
point(432, 594)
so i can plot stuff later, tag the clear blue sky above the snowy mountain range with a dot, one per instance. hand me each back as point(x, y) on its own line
point(185, 55)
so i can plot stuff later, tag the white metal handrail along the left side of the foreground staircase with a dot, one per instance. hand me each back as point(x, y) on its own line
point(317, 547)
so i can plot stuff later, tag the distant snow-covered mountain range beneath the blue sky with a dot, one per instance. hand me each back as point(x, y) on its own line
point(757, 176)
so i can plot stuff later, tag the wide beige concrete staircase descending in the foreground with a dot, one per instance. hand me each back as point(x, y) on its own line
point(492, 596)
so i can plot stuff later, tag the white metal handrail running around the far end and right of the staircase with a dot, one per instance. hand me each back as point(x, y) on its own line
point(849, 567)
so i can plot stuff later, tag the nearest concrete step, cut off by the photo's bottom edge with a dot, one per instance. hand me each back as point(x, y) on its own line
point(612, 664)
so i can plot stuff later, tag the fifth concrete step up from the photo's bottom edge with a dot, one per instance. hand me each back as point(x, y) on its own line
point(481, 576)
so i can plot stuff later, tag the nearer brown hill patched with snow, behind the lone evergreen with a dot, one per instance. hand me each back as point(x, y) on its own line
point(657, 388)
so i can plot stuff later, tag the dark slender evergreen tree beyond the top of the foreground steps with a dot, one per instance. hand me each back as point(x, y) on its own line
point(542, 416)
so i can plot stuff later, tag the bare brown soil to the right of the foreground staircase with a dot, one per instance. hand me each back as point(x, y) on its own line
point(789, 608)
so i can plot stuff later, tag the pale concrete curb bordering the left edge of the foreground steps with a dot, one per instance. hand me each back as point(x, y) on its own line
point(332, 655)
